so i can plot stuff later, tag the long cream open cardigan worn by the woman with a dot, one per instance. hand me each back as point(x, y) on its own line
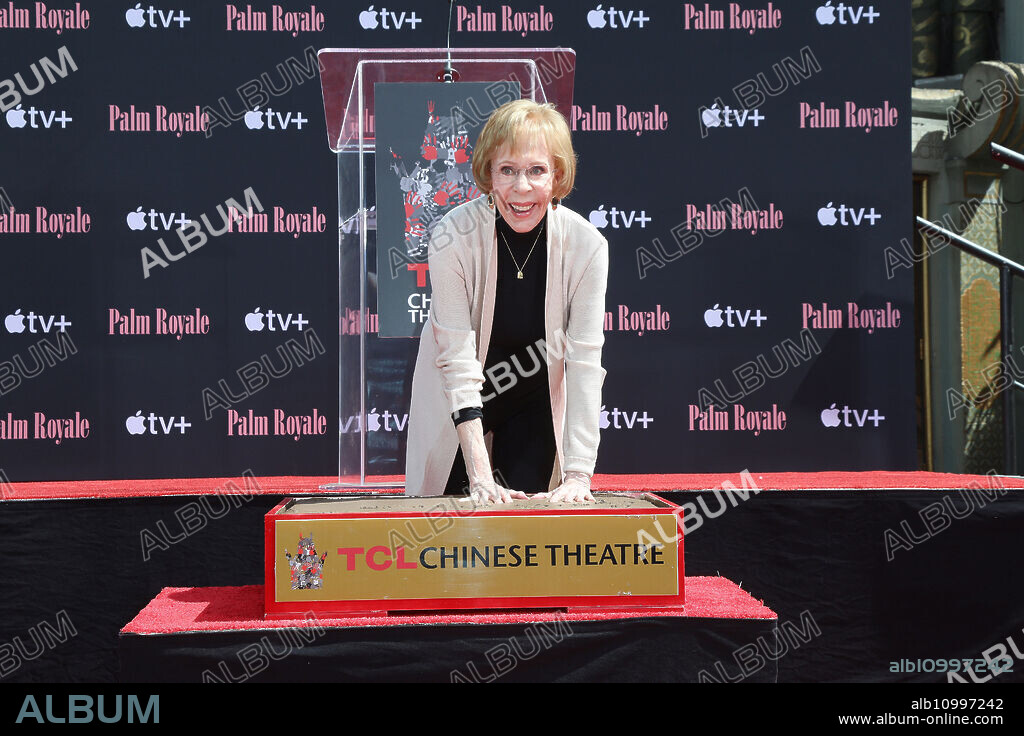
point(449, 373)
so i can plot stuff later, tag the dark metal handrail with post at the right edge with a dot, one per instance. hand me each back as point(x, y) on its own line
point(1008, 270)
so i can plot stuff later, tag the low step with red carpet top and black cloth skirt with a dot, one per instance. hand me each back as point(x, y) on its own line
point(220, 635)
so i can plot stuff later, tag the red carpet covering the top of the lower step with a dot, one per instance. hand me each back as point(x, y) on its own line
point(179, 611)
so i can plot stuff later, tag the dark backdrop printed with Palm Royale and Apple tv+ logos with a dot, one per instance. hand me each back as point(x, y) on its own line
point(748, 162)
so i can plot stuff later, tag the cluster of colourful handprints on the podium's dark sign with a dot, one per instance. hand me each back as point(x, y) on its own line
point(442, 180)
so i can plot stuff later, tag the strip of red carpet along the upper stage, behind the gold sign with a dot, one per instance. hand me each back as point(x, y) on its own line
point(287, 486)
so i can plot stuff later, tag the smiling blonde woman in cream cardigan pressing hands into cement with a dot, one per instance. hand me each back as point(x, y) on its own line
point(507, 389)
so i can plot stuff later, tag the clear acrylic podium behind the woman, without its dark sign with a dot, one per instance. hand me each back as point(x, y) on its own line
point(375, 375)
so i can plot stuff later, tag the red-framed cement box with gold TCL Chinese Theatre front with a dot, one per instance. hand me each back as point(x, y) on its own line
point(371, 555)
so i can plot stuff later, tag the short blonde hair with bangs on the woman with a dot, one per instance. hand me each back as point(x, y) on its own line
point(518, 124)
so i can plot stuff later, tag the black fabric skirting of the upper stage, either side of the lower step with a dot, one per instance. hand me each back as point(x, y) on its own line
point(810, 556)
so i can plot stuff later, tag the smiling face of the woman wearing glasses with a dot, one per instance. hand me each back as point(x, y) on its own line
point(523, 183)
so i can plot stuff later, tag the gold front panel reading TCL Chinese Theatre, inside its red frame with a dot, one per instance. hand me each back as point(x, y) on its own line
point(422, 558)
